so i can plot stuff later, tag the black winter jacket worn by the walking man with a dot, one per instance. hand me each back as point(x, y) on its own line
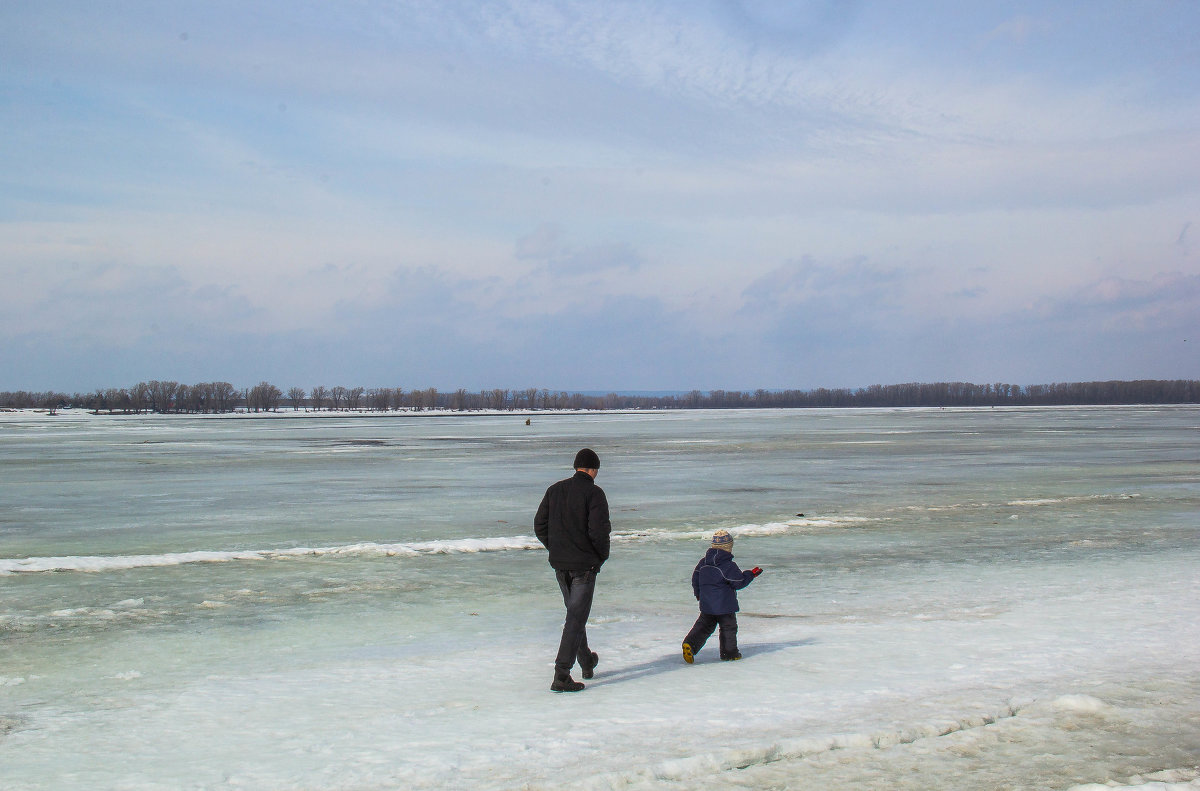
point(573, 524)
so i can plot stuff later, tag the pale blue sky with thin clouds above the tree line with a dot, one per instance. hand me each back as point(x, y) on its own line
point(598, 196)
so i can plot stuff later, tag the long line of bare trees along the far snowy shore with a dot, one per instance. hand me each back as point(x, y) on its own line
point(215, 398)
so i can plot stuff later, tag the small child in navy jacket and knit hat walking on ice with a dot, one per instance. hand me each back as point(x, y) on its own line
point(716, 584)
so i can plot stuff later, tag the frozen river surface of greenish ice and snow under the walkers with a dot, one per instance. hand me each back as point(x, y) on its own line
point(951, 600)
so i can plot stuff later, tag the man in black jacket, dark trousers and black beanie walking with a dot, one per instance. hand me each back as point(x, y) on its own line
point(573, 524)
